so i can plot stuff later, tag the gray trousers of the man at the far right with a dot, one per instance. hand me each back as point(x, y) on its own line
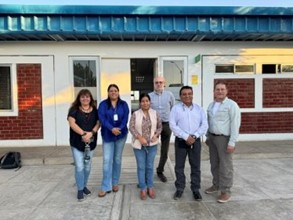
point(221, 163)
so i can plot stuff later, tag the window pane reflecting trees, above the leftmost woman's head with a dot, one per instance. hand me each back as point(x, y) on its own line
point(84, 73)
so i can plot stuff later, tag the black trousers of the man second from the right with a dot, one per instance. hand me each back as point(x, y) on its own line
point(194, 156)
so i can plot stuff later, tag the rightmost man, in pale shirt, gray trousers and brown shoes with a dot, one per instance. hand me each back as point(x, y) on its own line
point(224, 120)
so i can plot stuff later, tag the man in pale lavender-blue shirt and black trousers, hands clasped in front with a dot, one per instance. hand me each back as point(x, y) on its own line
point(188, 122)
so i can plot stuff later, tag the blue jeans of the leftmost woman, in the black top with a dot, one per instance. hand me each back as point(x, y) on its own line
point(82, 170)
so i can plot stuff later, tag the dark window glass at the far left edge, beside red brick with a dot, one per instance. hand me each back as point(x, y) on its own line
point(5, 88)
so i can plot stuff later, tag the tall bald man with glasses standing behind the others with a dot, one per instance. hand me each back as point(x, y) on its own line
point(162, 101)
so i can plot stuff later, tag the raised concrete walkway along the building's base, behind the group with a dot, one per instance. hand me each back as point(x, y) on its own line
point(61, 155)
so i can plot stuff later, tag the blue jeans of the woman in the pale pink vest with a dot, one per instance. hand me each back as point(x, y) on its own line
point(145, 158)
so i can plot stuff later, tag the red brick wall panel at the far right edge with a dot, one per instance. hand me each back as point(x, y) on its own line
point(277, 93)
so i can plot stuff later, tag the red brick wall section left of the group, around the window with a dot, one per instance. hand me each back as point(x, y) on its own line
point(29, 122)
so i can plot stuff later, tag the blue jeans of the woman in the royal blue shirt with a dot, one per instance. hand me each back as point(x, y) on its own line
point(112, 158)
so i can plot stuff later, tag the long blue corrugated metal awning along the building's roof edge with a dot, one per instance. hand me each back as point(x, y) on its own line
point(144, 23)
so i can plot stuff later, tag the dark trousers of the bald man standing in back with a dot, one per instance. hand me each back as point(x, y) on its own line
point(165, 141)
